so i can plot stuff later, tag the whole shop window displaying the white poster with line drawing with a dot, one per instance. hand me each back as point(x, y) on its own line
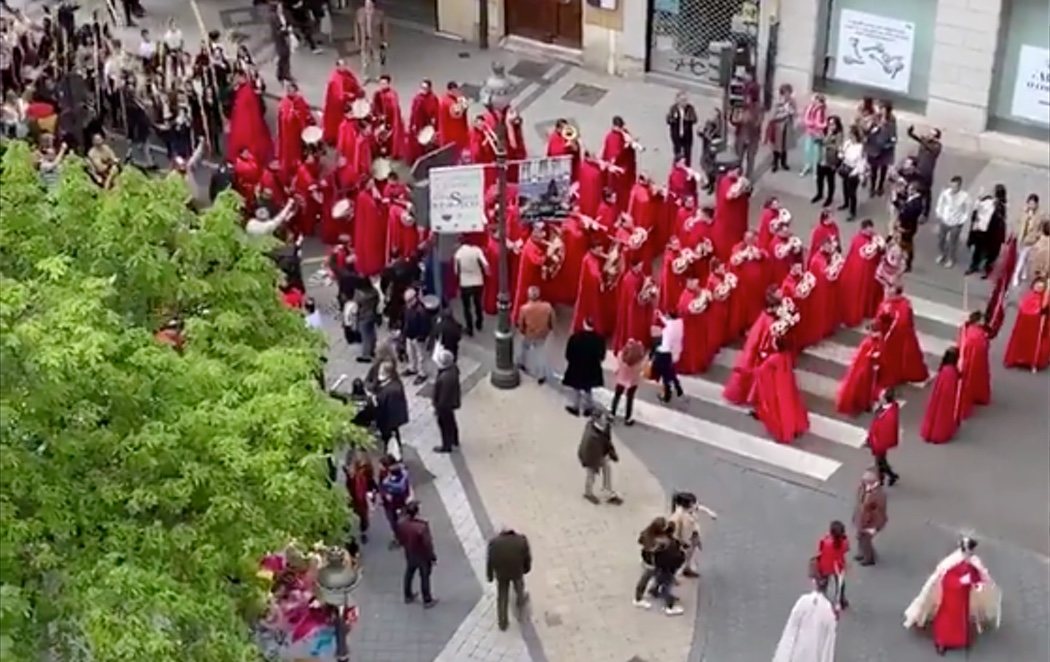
point(880, 49)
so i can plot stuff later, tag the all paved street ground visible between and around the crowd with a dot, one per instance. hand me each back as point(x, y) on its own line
point(518, 466)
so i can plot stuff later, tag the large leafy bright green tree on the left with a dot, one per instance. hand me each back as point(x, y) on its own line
point(139, 486)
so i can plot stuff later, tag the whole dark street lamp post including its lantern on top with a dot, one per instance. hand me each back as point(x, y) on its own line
point(496, 96)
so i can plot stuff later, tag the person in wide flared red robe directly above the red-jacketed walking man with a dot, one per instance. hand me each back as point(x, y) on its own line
point(902, 360)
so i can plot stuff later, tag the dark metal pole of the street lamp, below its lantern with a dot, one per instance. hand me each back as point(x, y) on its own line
point(506, 376)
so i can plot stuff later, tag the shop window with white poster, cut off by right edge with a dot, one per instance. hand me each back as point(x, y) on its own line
point(1021, 86)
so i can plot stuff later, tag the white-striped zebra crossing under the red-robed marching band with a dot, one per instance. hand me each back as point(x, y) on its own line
point(832, 438)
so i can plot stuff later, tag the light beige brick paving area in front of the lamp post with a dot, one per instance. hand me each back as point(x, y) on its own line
point(521, 447)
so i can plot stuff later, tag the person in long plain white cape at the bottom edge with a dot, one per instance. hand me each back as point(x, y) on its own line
point(809, 635)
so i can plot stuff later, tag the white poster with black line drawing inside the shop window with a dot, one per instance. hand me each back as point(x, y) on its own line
point(875, 51)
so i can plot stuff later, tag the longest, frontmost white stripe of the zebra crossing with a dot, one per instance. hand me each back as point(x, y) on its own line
point(728, 440)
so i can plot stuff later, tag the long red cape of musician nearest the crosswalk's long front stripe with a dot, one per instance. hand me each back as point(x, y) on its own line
point(778, 401)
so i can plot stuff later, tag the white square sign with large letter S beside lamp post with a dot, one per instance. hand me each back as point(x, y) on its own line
point(458, 199)
